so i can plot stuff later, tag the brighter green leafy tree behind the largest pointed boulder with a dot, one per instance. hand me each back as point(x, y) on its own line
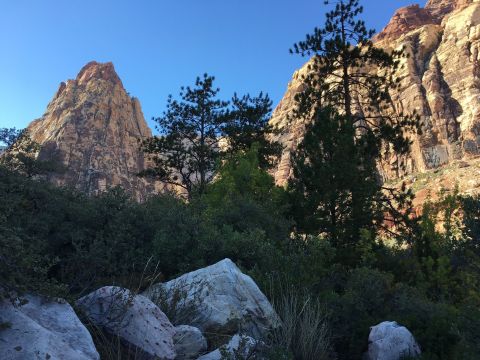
point(248, 210)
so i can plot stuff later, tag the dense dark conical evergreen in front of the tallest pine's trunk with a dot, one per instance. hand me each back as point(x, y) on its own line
point(334, 190)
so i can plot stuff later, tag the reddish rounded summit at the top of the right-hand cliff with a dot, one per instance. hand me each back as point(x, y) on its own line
point(404, 20)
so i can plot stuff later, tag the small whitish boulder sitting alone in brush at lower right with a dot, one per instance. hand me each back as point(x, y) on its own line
point(390, 341)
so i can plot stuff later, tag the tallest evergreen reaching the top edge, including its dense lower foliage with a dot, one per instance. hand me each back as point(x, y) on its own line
point(348, 73)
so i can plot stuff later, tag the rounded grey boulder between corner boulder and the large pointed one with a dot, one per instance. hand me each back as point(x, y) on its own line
point(134, 318)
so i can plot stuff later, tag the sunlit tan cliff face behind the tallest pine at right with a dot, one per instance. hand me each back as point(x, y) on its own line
point(440, 81)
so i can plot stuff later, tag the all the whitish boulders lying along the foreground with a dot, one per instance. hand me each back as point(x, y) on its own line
point(217, 306)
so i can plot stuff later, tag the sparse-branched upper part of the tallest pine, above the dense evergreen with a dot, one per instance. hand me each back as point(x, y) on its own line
point(348, 72)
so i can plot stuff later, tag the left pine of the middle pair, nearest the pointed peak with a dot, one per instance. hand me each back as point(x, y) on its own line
point(187, 148)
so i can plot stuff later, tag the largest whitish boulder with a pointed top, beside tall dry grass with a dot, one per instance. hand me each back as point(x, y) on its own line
point(218, 299)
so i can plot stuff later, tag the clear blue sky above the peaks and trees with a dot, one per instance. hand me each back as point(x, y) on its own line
point(156, 46)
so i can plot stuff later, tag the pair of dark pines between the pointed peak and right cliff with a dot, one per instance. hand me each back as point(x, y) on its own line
point(188, 148)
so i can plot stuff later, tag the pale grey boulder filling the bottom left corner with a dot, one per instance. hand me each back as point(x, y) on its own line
point(43, 329)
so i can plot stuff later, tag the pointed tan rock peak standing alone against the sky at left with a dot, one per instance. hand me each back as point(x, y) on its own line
point(94, 127)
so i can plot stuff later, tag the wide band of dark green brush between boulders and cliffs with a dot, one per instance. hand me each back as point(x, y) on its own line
point(57, 241)
